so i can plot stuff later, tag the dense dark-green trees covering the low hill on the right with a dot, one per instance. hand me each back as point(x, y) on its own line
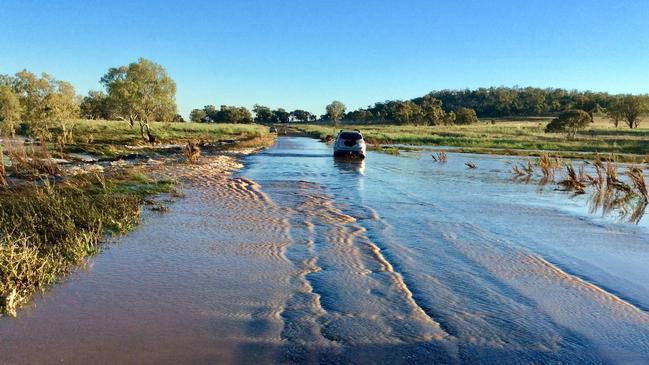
point(458, 106)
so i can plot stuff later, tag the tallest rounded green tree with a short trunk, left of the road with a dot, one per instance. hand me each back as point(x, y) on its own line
point(142, 92)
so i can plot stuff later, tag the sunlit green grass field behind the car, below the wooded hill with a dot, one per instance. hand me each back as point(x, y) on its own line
point(524, 137)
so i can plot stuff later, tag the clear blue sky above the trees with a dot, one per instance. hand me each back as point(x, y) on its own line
point(304, 54)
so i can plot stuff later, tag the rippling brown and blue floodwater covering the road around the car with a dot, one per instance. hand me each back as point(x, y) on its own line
point(304, 259)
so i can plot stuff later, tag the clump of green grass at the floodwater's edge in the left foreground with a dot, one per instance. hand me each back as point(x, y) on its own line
point(45, 230)
